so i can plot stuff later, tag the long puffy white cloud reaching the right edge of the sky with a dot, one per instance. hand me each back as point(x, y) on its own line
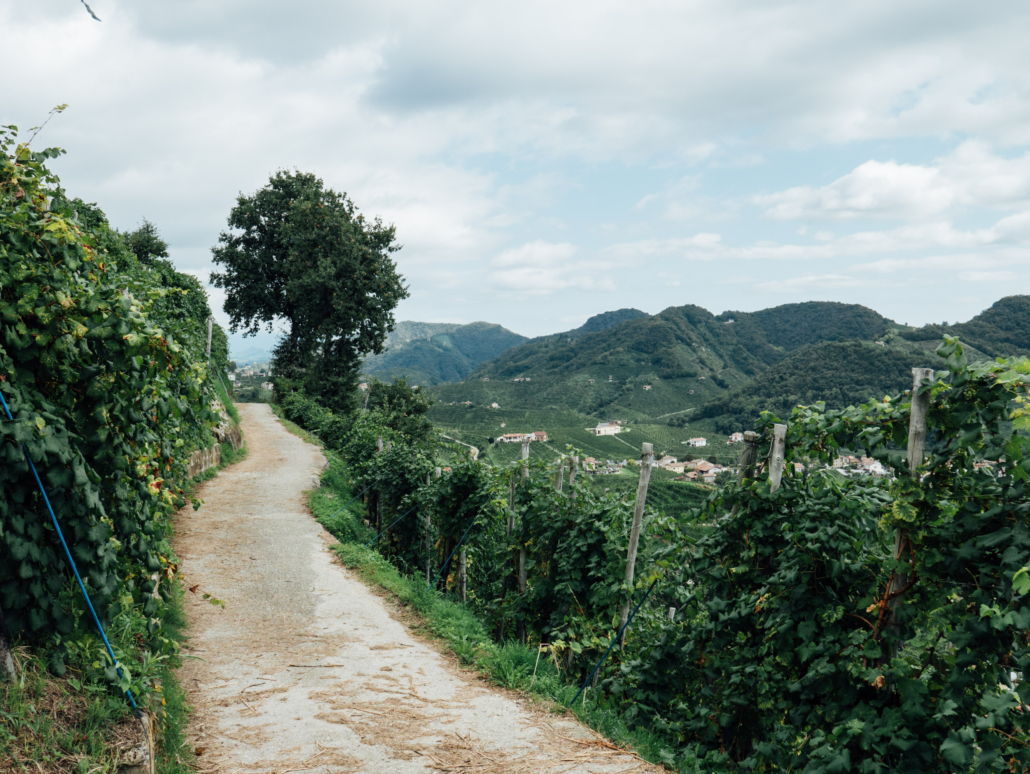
point(972, 176)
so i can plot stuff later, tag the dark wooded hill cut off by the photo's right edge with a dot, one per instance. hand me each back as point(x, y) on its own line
point(1004, 330)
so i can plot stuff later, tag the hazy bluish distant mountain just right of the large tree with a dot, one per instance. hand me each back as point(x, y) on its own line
point(432, 353)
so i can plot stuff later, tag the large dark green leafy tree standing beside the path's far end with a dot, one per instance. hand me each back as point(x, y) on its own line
point(301, 253)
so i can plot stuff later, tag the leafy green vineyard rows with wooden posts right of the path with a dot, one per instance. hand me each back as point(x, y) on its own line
point(814, 623)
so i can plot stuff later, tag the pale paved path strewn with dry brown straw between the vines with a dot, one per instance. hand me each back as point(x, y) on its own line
point(308, 670)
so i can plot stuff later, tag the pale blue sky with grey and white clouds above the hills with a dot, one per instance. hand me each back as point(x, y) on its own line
point(544, 162)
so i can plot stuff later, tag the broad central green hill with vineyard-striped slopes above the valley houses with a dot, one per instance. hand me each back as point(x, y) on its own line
point(657, 366)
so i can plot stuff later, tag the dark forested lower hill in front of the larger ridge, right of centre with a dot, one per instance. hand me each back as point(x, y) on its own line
point(839, 374)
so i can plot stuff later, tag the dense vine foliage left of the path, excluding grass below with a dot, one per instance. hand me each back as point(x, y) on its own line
point(101, 362)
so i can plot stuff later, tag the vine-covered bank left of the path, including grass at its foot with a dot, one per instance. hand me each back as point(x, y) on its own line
point(111, 394)
